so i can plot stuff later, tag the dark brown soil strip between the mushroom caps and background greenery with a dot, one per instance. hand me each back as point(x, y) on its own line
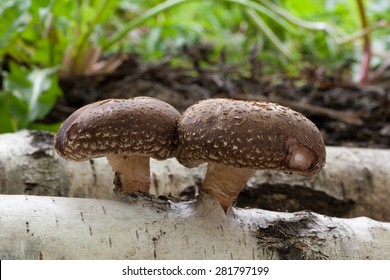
point(346, 113)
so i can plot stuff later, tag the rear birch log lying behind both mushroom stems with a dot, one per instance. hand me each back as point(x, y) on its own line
point(354, 182)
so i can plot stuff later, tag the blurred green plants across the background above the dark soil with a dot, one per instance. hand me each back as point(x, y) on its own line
point(42, 41)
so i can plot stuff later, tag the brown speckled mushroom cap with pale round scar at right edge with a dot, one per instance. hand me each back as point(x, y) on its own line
point(249, 134)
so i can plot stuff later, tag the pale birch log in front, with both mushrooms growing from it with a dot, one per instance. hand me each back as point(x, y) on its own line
point(34, 227)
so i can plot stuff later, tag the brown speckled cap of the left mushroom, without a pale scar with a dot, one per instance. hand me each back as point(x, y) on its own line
point(140, 126)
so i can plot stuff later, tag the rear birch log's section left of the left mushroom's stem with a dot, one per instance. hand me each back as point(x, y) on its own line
point(29, 165)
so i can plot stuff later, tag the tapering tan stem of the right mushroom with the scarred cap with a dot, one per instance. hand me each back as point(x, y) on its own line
point(225, 182)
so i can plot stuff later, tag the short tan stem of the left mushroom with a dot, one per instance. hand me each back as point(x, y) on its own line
point(132, 173)
